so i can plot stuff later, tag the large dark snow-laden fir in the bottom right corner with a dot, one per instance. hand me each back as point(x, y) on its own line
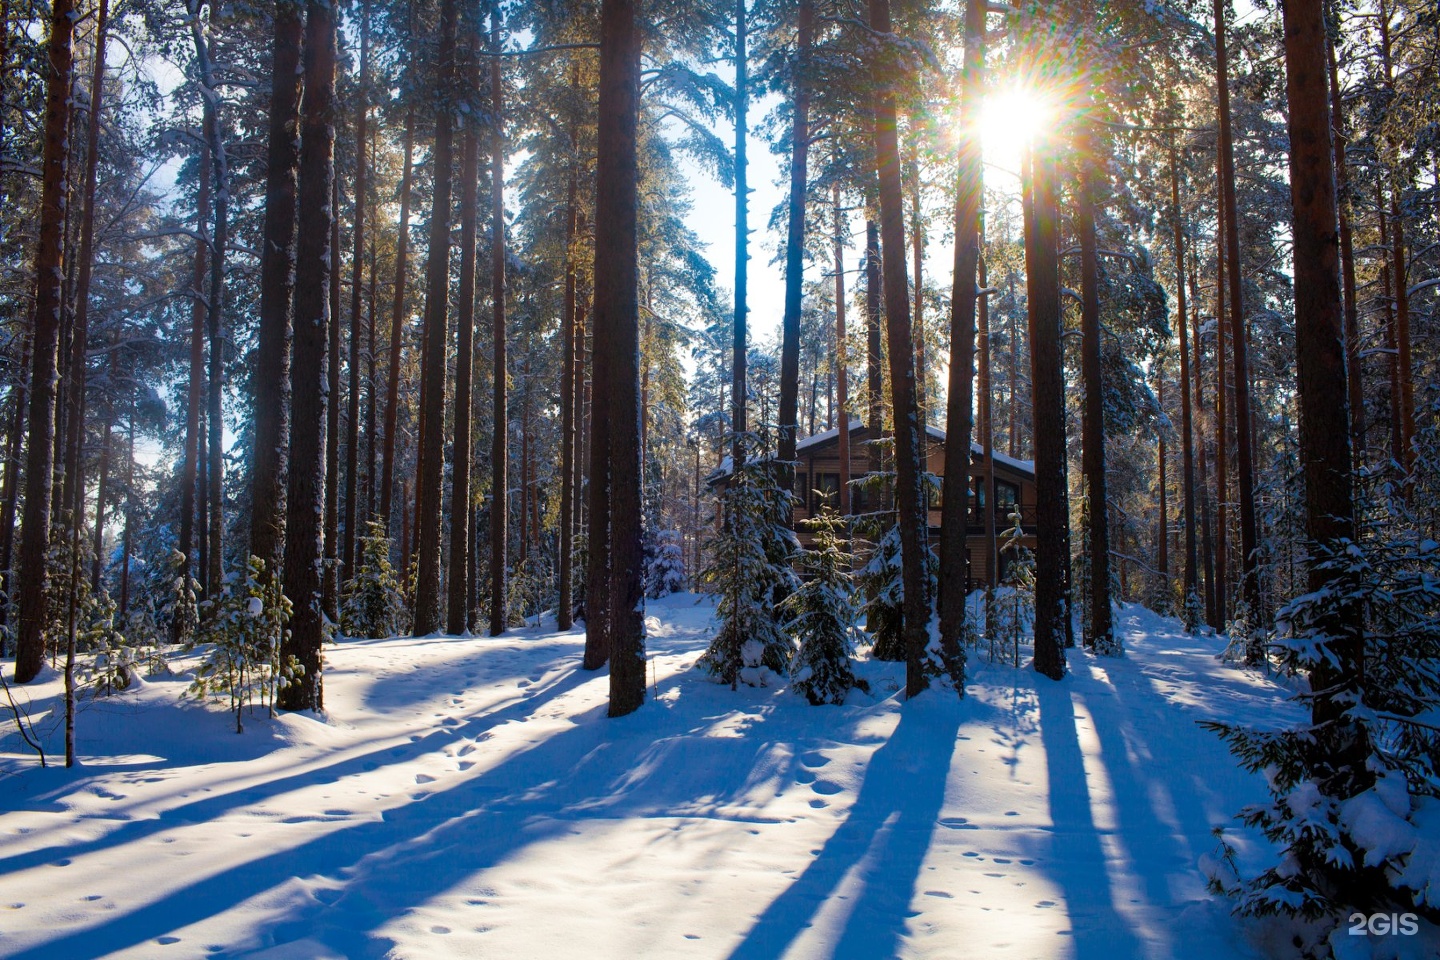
point(1356, 795)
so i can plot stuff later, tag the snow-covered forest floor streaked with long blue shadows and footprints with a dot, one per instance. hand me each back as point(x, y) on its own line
point(469, 798)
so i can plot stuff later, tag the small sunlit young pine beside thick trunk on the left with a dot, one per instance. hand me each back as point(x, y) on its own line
point(244, 634)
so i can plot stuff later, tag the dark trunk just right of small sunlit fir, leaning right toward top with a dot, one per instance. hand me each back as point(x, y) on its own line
point(434, 338)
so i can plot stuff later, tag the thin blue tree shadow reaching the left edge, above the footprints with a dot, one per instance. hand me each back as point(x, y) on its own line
point(211, 808)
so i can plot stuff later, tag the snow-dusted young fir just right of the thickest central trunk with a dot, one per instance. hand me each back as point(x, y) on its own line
point(751, 572)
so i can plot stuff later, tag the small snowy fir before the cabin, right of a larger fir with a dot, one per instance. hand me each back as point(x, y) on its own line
point(823, 617)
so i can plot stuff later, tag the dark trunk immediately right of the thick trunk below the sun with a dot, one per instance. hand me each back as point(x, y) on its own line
point(1099, 634)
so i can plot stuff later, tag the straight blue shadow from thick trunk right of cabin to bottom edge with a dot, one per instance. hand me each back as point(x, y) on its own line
point(1099, 932)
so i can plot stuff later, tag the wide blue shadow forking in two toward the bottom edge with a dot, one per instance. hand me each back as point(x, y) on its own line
point(891, 825)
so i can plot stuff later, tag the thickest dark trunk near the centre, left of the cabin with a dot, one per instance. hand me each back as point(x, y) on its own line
point(617, 345)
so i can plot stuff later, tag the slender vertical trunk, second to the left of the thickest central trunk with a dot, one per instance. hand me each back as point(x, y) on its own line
point(500, 418)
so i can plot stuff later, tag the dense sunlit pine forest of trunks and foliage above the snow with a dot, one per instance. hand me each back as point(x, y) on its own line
point(390, 317)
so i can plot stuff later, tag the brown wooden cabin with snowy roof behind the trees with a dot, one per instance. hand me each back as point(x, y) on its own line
point(817, 480)
